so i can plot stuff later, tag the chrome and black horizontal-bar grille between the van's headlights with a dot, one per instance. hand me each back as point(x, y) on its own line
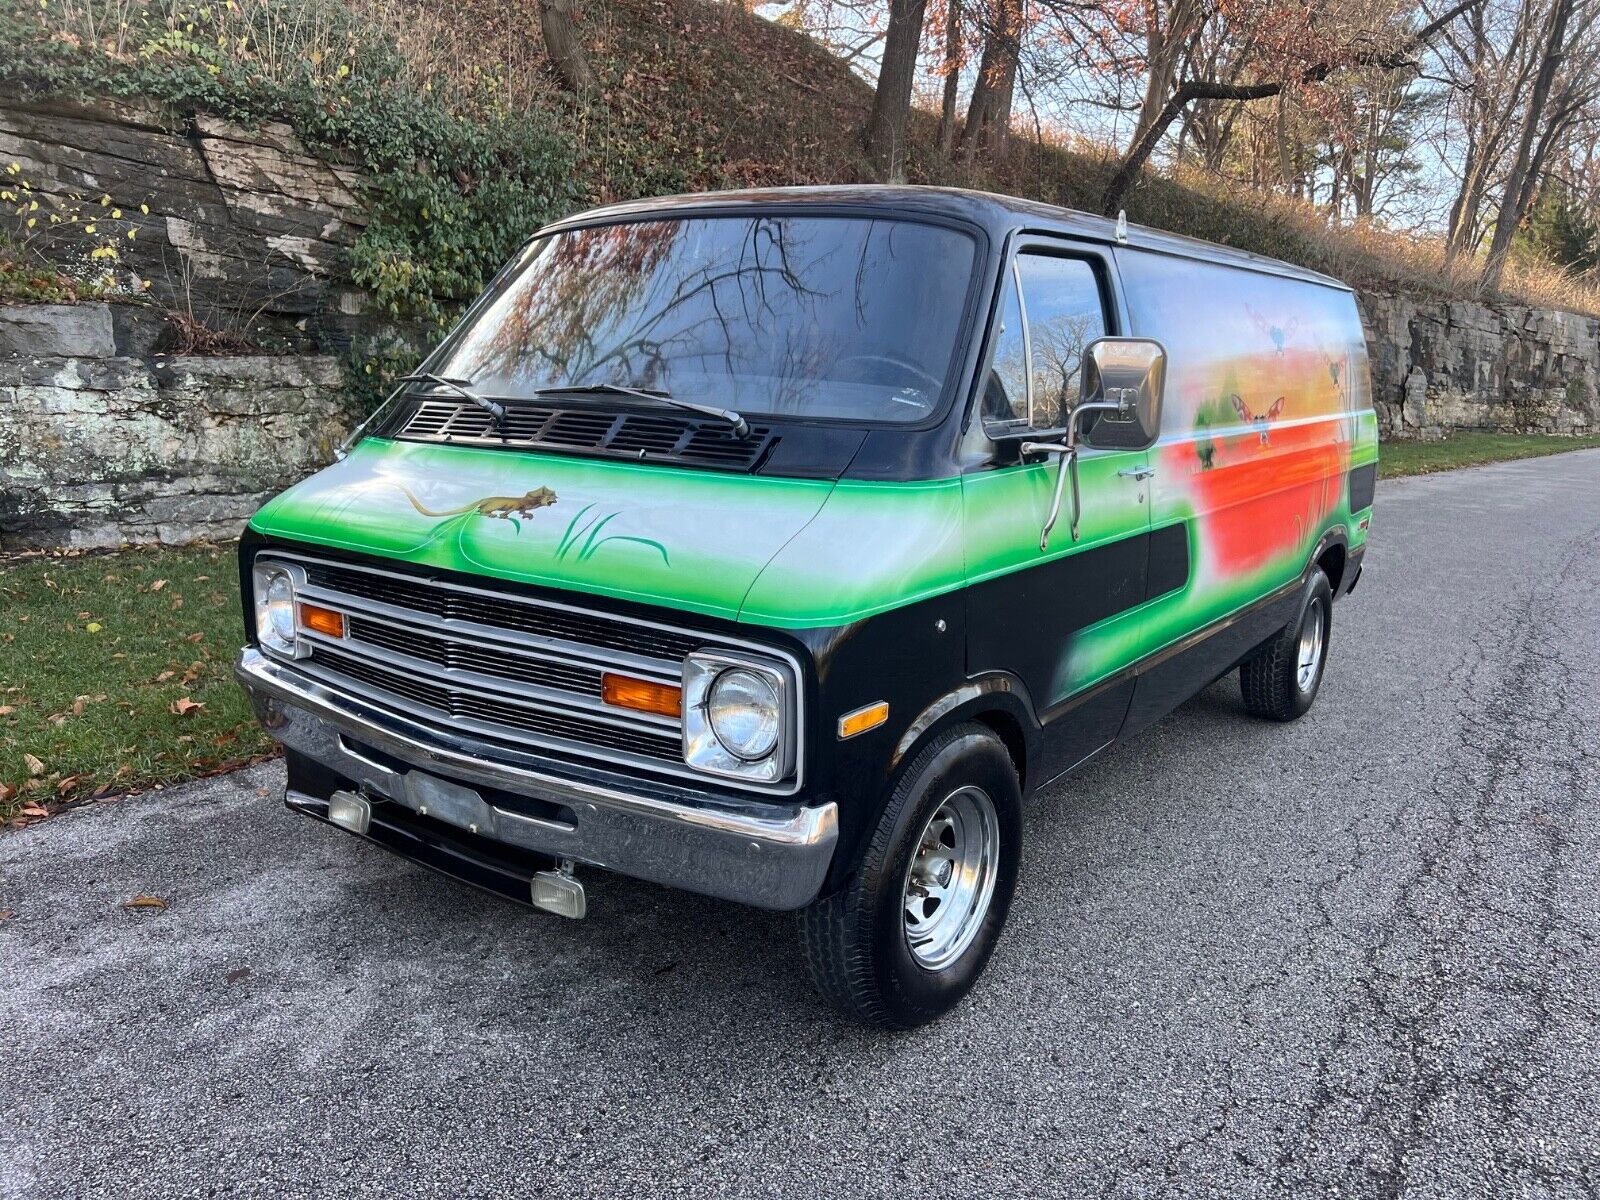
point(498, 666)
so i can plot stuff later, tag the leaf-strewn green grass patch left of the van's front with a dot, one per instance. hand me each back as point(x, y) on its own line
point(102, 660)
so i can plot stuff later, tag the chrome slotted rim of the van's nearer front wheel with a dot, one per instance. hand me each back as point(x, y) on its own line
point(951, 878)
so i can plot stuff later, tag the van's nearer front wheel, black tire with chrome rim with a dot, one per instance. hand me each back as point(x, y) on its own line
point(914, 926)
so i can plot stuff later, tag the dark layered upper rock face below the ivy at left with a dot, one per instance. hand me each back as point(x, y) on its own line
point(233, 226)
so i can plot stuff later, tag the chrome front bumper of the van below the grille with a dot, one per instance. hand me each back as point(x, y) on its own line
point(769, 855)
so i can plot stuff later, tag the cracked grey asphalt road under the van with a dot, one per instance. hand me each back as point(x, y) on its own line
point(1354, 956)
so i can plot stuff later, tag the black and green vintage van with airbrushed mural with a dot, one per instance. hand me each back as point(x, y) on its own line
point(778, 545)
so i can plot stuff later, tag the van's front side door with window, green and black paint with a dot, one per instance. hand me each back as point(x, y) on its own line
point(1062, 618)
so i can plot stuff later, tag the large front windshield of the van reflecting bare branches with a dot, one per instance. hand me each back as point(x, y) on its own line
point(785, 316)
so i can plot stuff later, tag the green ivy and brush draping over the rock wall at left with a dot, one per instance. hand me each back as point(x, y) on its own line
point(450, 194)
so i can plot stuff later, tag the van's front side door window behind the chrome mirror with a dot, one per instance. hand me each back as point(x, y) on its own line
point(1046, 324)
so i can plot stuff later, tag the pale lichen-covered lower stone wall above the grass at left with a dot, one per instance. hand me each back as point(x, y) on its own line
point(110, 449)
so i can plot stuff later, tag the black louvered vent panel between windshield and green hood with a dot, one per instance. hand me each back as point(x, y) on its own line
point(628, 434)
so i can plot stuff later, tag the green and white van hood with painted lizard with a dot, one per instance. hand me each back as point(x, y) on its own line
point(690, 540)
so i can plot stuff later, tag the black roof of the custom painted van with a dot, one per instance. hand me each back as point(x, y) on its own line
point(999, 215)
